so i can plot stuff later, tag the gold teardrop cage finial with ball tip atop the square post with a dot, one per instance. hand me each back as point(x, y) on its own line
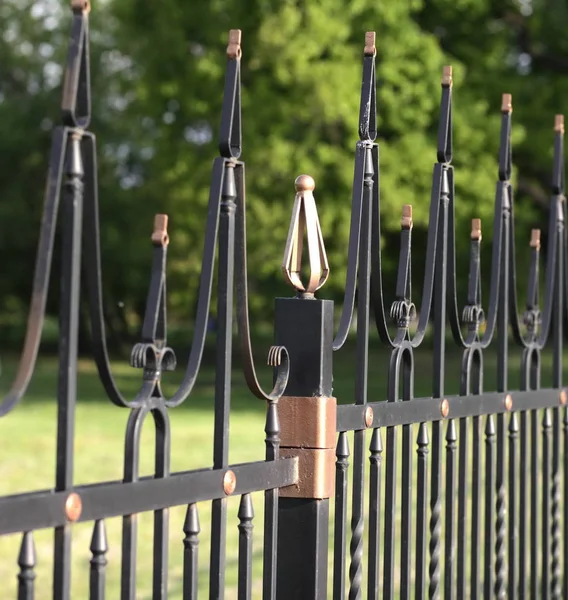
point(305, 219)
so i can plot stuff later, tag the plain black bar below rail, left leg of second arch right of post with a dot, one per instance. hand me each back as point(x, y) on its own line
point(463, 462)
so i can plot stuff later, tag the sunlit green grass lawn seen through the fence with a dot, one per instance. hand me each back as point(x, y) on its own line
point(27, 459)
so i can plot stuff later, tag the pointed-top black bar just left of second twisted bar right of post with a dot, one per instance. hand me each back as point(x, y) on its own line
point(421, 504)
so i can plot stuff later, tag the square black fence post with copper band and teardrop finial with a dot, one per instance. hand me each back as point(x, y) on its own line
point(307, 412)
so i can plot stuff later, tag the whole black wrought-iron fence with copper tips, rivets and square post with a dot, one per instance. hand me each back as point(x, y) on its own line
point(480, 510)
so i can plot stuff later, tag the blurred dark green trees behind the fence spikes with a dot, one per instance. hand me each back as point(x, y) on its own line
point(157, 74)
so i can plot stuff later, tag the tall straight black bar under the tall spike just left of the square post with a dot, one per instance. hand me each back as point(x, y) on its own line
point(223, 375)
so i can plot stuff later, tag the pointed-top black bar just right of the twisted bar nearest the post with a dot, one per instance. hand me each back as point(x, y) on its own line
point(376, 459)
